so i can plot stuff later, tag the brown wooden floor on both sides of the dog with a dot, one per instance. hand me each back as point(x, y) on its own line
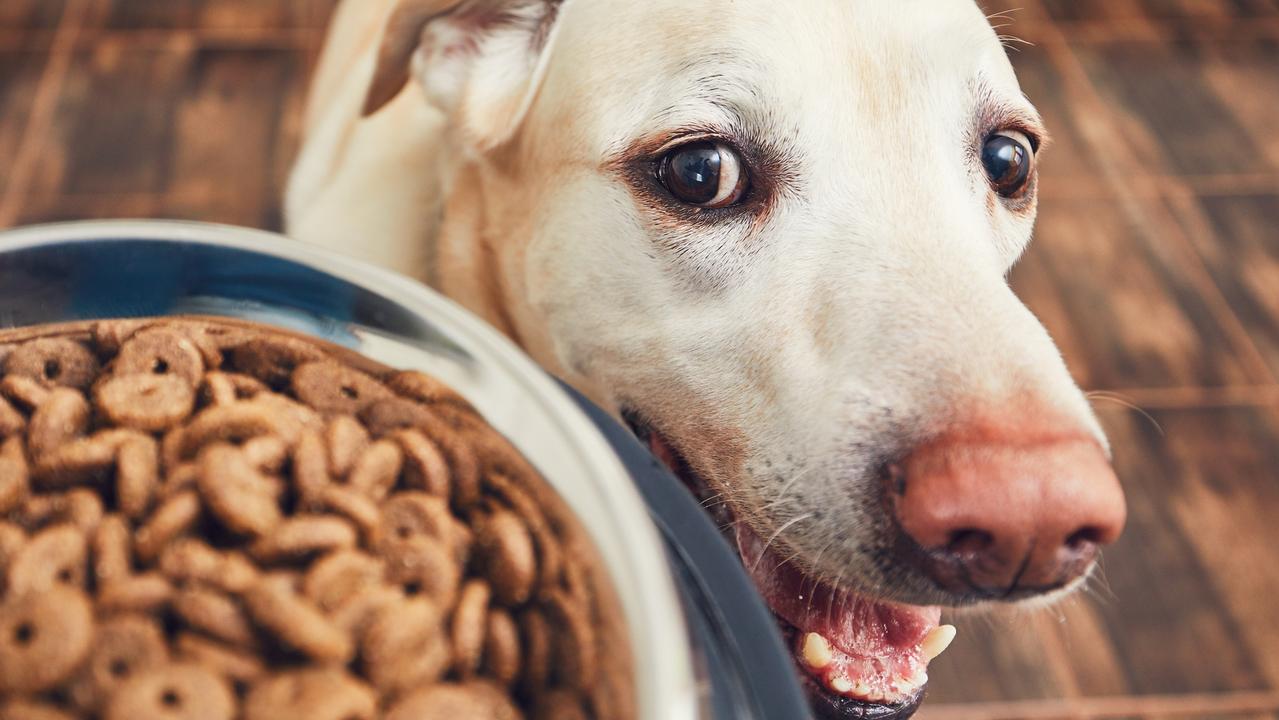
point(1157, 268)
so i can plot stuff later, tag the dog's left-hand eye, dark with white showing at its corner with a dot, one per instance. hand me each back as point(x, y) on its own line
point(707, 175)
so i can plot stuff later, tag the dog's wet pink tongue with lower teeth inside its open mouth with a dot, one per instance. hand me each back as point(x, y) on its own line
point(855, 646)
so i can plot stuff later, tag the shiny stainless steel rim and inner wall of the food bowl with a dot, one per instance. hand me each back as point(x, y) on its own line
point(116, 269)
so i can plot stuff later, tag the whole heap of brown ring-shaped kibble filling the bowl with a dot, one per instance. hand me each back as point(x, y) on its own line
point(209, 520)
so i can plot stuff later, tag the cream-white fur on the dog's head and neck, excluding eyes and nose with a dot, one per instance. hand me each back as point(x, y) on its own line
point(868, 313)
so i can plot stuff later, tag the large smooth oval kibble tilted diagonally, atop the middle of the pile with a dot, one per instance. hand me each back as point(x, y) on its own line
point(237, 494)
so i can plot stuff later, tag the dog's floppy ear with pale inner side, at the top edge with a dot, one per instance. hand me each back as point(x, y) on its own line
point(479, 61)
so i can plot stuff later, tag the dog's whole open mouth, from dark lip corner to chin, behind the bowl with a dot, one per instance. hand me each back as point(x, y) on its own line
point(859, 657)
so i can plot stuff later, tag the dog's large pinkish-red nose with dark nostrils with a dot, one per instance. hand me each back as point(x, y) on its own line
point(1011, 520)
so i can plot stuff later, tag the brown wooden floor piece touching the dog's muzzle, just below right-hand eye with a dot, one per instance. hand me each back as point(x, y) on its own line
point(1121, 300)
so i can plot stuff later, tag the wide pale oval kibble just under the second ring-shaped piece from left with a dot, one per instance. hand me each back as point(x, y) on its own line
point(150, 403)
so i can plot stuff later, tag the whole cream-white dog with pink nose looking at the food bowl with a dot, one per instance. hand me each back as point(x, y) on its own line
point(774, 239)
